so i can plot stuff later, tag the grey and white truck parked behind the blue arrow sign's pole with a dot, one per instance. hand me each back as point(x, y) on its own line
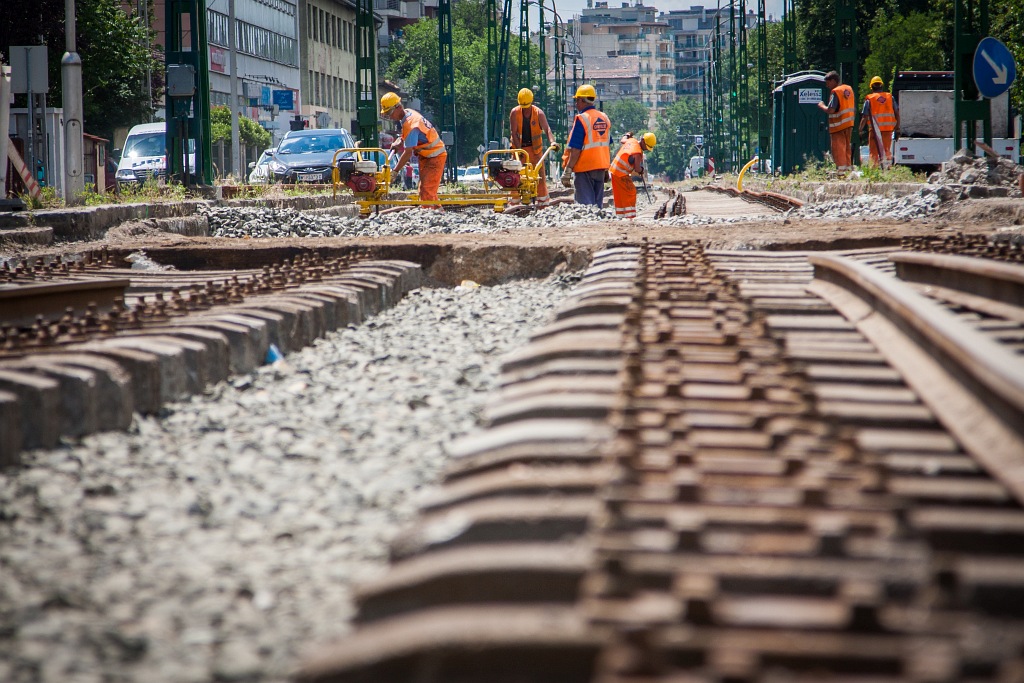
point(926, 127)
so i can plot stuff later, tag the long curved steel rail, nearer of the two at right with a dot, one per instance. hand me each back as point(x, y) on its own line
point(974, 387)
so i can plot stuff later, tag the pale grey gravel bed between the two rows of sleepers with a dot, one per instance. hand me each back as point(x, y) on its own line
point(221, 541)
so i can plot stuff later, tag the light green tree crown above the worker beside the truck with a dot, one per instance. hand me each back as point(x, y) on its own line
point(903, 44)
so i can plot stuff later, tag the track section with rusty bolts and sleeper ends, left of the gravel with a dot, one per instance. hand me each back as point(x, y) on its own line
point(86, 346)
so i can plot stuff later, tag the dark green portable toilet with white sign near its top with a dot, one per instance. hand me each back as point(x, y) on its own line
point(801, 127)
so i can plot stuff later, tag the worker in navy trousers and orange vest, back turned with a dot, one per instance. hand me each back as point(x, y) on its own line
point(590, 150)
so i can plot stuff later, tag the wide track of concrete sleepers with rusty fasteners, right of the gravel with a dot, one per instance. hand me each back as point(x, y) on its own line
point(729, 466)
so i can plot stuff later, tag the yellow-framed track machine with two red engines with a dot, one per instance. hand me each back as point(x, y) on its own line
point(368, 175)
